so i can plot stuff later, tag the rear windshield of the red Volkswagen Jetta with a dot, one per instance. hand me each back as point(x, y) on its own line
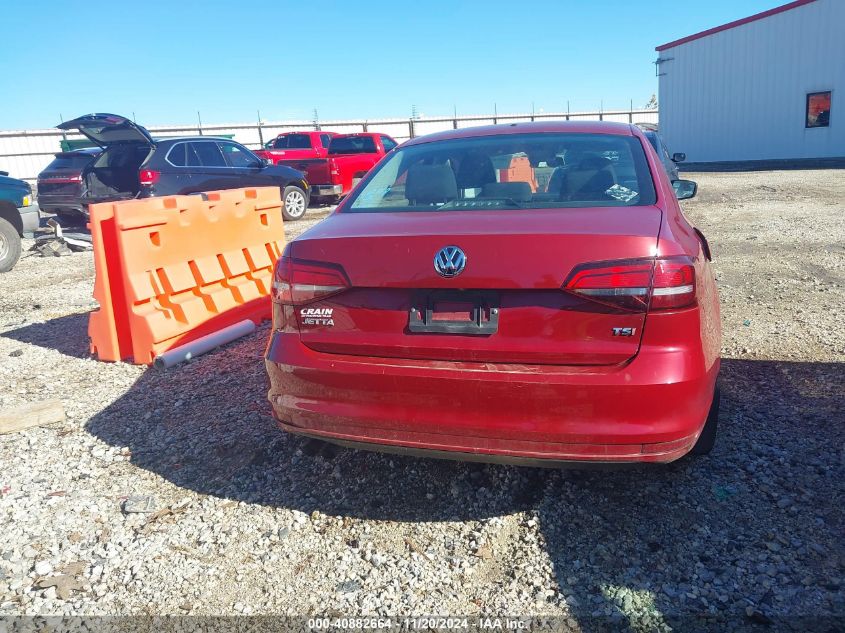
point(511, 171)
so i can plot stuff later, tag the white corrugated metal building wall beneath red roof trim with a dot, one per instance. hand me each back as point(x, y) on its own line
point(740, 94)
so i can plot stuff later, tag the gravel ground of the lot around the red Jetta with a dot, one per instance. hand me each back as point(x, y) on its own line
point(246, 520)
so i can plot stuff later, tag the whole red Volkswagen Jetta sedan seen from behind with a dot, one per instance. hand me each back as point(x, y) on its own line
point(529, 292)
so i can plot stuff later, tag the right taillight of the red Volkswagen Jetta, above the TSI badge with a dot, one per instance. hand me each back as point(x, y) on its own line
point(636, 284)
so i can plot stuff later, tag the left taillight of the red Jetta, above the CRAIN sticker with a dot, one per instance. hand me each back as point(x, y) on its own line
point(298, 282)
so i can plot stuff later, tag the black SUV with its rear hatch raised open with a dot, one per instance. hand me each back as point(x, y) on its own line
point(135, 165)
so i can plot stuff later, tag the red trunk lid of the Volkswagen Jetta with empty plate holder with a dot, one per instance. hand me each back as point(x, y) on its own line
point(506, 306)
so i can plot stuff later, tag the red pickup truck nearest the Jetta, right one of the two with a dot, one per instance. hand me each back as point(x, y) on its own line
point(349, 158)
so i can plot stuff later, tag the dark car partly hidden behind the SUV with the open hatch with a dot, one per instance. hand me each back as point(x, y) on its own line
point(60, 184)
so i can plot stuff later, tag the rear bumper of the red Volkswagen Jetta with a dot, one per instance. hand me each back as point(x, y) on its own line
point(651, 409)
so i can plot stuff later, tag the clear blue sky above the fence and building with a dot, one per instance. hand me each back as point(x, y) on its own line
point(163, 61)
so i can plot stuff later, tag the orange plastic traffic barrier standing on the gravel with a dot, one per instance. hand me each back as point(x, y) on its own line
point(170, 270)
